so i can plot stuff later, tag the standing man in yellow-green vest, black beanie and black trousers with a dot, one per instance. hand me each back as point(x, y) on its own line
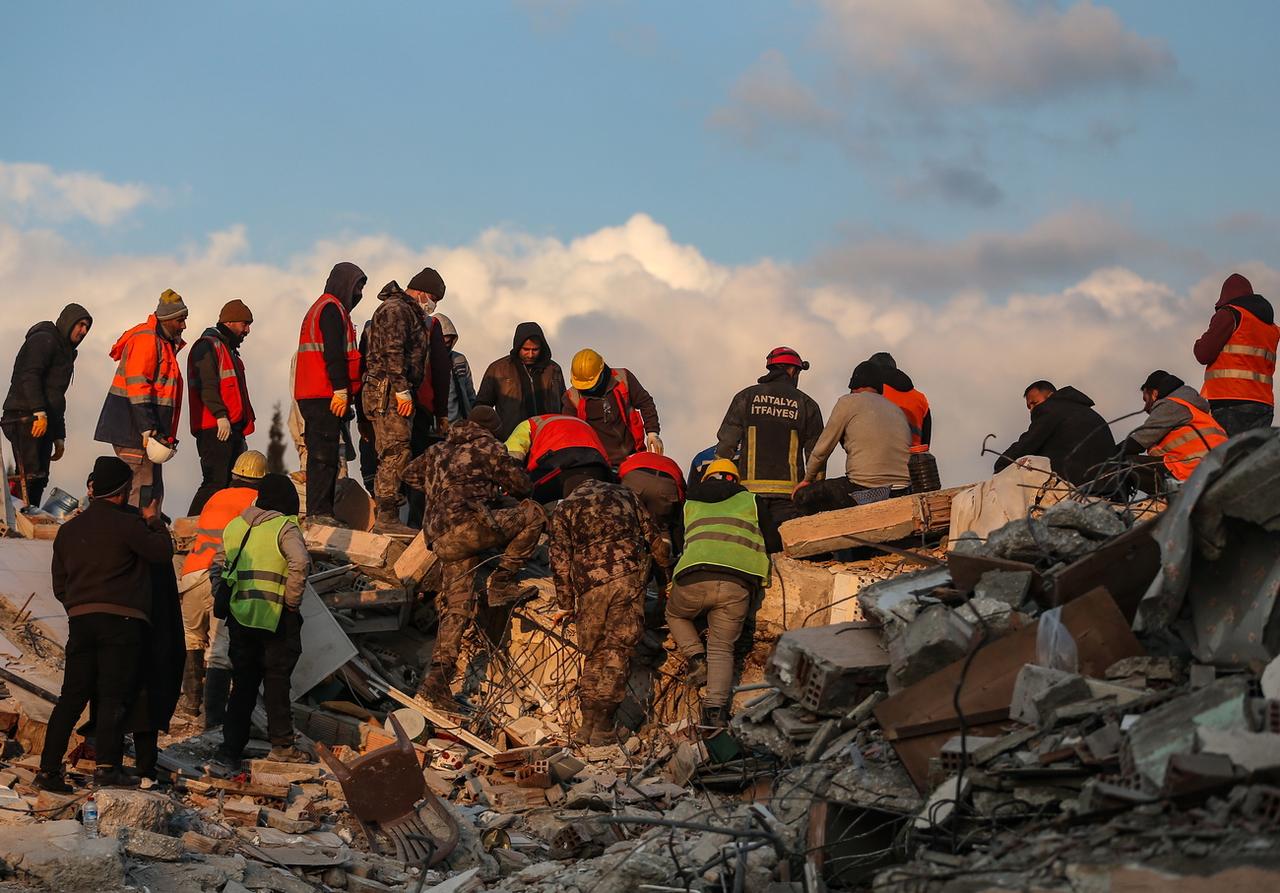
point(264, 561)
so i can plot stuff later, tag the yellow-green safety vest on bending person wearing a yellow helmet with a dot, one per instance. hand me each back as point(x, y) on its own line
point(725, 534)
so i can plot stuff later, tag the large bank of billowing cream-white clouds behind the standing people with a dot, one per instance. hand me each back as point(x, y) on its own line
point(694, 332)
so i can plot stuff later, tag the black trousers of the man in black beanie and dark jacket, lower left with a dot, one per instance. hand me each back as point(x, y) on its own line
point(102, 666)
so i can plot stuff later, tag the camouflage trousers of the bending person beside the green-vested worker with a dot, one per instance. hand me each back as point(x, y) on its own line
point(610, 625)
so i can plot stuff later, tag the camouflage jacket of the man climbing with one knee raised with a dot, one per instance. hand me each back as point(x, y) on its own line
point(464, 477)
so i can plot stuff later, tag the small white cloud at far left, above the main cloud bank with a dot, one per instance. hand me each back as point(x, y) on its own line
point(36, 191)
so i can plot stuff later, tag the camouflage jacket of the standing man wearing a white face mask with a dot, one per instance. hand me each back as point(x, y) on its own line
point(396, 354)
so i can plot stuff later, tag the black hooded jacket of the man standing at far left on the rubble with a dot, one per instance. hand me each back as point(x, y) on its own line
point(43, 372)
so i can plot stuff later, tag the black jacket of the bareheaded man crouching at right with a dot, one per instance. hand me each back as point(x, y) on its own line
point(1069, 433)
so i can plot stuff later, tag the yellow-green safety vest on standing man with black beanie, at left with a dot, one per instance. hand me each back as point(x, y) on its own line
point(260, 575)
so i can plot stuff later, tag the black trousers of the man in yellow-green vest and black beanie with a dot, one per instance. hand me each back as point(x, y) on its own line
point(267, 660)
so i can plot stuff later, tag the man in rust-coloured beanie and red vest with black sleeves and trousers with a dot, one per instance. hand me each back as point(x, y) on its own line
point(222, 416)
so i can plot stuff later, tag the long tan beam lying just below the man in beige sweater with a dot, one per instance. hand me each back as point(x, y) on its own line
point(880, 523)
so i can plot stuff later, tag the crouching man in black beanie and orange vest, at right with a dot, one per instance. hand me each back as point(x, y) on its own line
point(1180, 432)
